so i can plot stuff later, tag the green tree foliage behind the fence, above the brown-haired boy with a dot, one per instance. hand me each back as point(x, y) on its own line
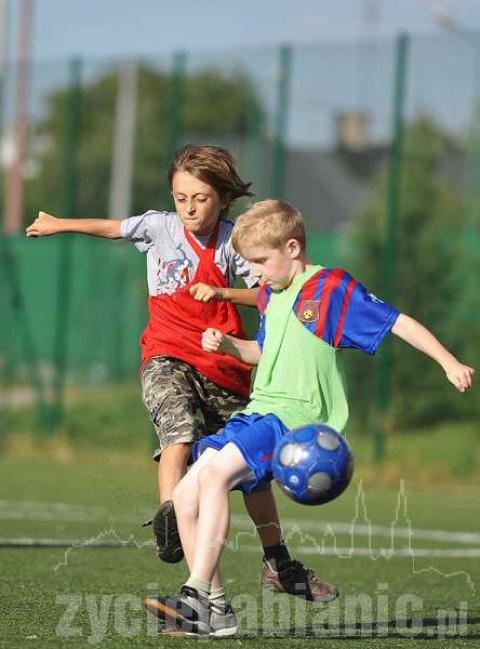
point(215, 105)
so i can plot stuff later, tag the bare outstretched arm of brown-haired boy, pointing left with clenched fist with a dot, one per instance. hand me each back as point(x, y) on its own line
point(46, 224)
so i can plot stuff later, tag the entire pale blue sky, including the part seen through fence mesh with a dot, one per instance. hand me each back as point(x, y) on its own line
point(336, 75)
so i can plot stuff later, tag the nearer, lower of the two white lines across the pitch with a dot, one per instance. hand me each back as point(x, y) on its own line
point(343, 552)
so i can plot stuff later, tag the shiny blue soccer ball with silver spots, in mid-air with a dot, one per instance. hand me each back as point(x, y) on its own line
point(313, 464)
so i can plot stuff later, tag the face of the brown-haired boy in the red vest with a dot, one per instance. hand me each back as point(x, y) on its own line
point(197, 204)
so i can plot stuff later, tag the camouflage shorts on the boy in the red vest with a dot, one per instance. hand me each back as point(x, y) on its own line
point(183, 404)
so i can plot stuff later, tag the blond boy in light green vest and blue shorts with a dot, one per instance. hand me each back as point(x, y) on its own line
point(309, 313)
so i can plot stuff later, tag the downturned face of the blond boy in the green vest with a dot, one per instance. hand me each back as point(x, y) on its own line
point(276, 267)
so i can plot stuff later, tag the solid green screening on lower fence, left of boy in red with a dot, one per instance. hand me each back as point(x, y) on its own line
point(103, 317)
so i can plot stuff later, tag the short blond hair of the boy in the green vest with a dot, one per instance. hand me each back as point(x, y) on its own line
point(271, 223)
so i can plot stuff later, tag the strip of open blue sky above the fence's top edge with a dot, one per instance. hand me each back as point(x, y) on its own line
point(102, 28)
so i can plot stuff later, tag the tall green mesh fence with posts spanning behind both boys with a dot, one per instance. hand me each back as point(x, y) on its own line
point(378, 143)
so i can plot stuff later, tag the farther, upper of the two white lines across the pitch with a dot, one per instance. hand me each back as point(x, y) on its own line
point(63, 512)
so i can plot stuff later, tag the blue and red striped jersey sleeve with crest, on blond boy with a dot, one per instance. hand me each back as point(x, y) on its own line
point(343, 313)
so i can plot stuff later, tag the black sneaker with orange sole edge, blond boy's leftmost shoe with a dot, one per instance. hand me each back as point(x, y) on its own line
point(187, 613)
